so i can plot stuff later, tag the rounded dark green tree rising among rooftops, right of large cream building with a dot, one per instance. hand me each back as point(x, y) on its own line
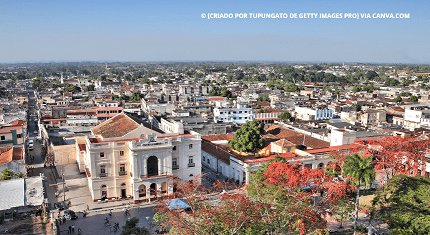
point(248, 137)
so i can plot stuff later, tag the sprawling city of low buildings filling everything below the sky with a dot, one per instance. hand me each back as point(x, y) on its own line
point(128, 137)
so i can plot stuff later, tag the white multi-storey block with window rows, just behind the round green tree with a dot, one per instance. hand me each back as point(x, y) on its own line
point(239, 115)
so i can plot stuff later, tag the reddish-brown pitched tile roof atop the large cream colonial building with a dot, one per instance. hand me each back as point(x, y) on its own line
point(117, 126)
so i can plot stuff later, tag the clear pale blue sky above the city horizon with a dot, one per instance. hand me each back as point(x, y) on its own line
point(42, 31)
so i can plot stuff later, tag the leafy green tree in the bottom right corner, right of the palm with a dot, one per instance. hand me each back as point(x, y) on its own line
point(404, 204)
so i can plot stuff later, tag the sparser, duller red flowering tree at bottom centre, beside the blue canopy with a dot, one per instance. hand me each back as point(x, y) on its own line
point(212, 212)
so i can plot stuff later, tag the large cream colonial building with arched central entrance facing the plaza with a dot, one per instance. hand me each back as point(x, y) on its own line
point(126, 157)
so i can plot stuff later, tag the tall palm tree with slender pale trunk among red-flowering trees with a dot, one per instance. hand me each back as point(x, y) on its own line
point(359, 168)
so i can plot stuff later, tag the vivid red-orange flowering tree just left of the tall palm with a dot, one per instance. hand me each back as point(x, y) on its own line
point(292, 190)
